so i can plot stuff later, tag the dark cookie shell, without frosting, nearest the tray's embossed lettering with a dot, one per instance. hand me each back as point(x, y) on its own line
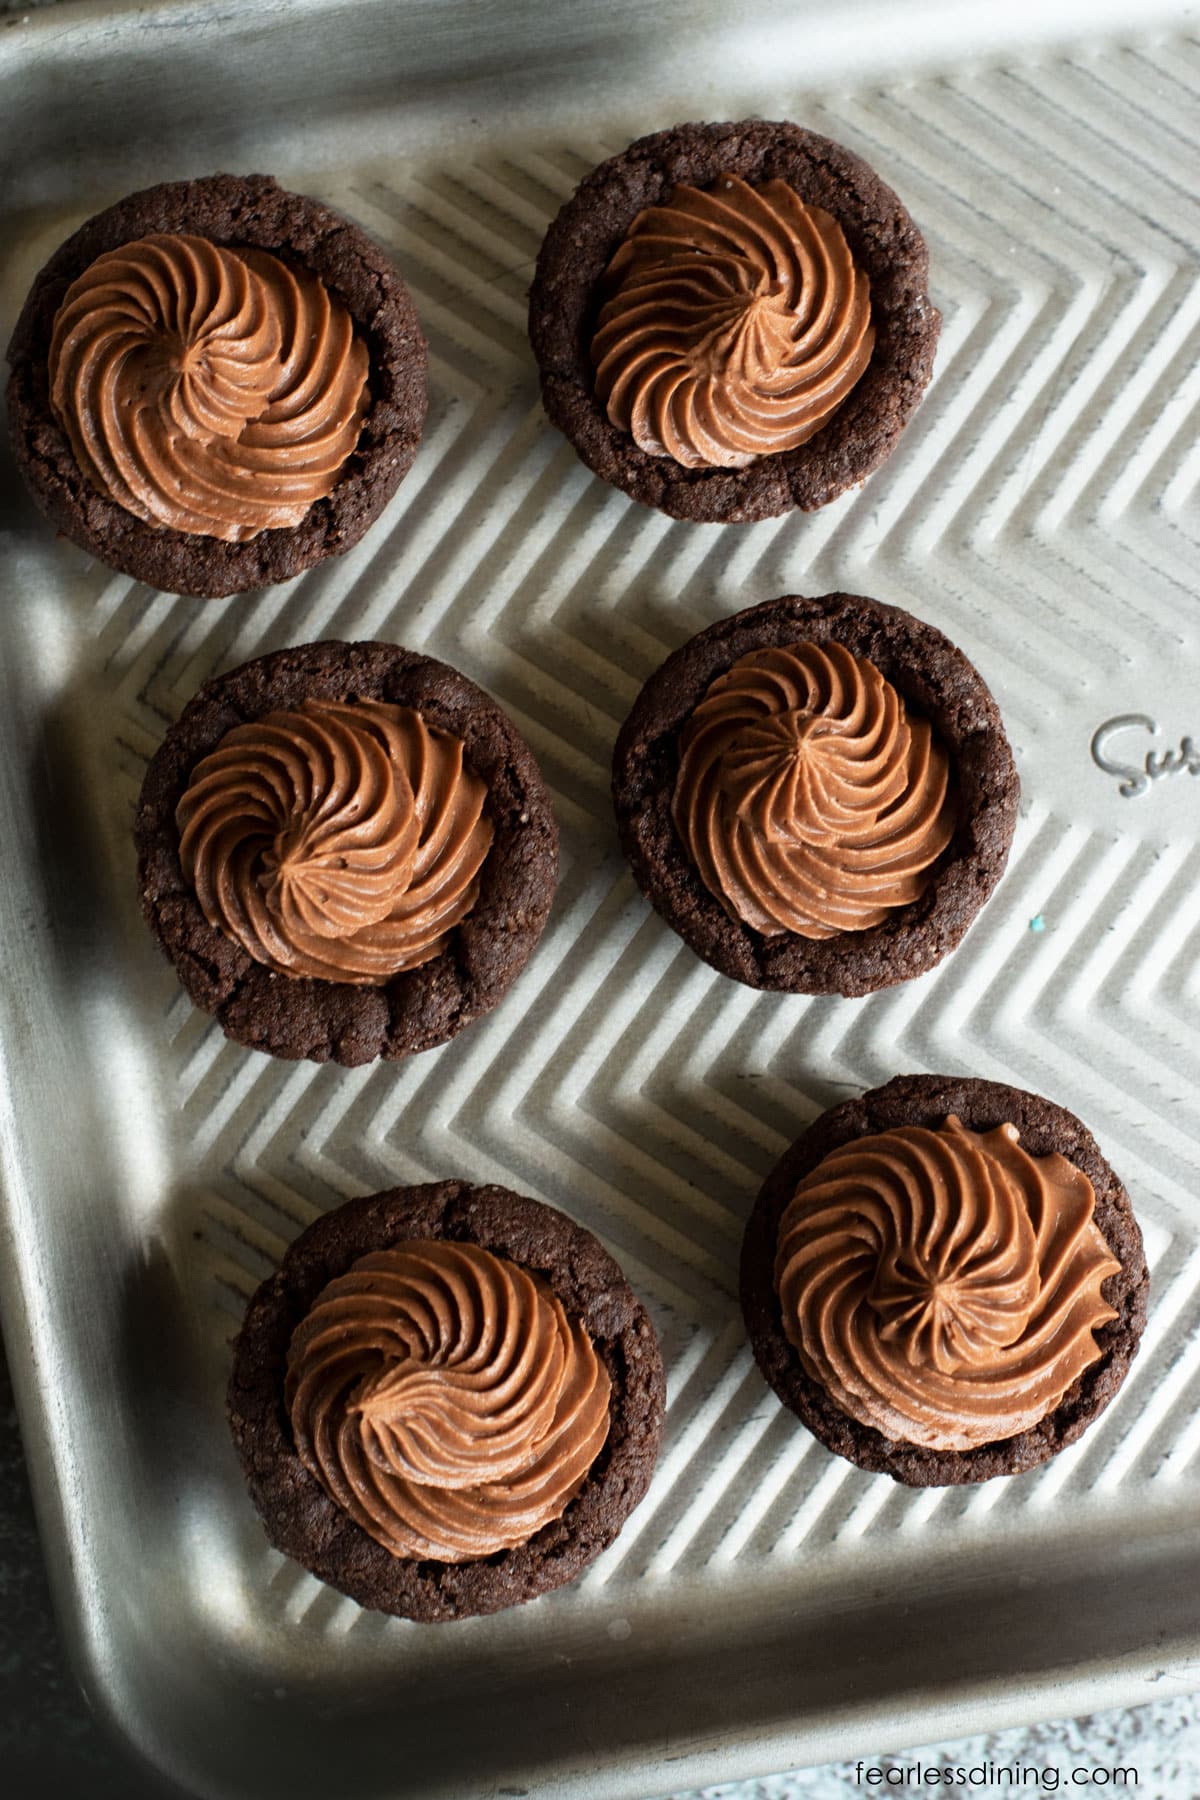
point(936, 685)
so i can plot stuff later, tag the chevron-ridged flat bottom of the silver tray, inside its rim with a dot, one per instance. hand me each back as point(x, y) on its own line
point(1041, 510)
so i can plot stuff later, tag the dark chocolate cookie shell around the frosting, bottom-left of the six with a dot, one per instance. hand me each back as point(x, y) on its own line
point(300, 1515)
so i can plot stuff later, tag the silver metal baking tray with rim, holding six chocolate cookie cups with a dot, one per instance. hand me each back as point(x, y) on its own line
point(769, 1605)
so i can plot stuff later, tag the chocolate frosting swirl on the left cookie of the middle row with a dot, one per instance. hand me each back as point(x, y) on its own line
point(337, 840)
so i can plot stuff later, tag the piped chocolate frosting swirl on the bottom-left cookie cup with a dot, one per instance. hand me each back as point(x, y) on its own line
point(445, 1401)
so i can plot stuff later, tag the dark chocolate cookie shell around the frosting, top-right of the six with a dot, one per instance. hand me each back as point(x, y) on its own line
point(868, 220)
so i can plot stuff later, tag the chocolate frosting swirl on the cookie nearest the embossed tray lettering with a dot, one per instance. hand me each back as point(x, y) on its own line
point(807, 796)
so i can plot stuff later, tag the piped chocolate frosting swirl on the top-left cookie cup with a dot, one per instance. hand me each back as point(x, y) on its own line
point(208, 390)
